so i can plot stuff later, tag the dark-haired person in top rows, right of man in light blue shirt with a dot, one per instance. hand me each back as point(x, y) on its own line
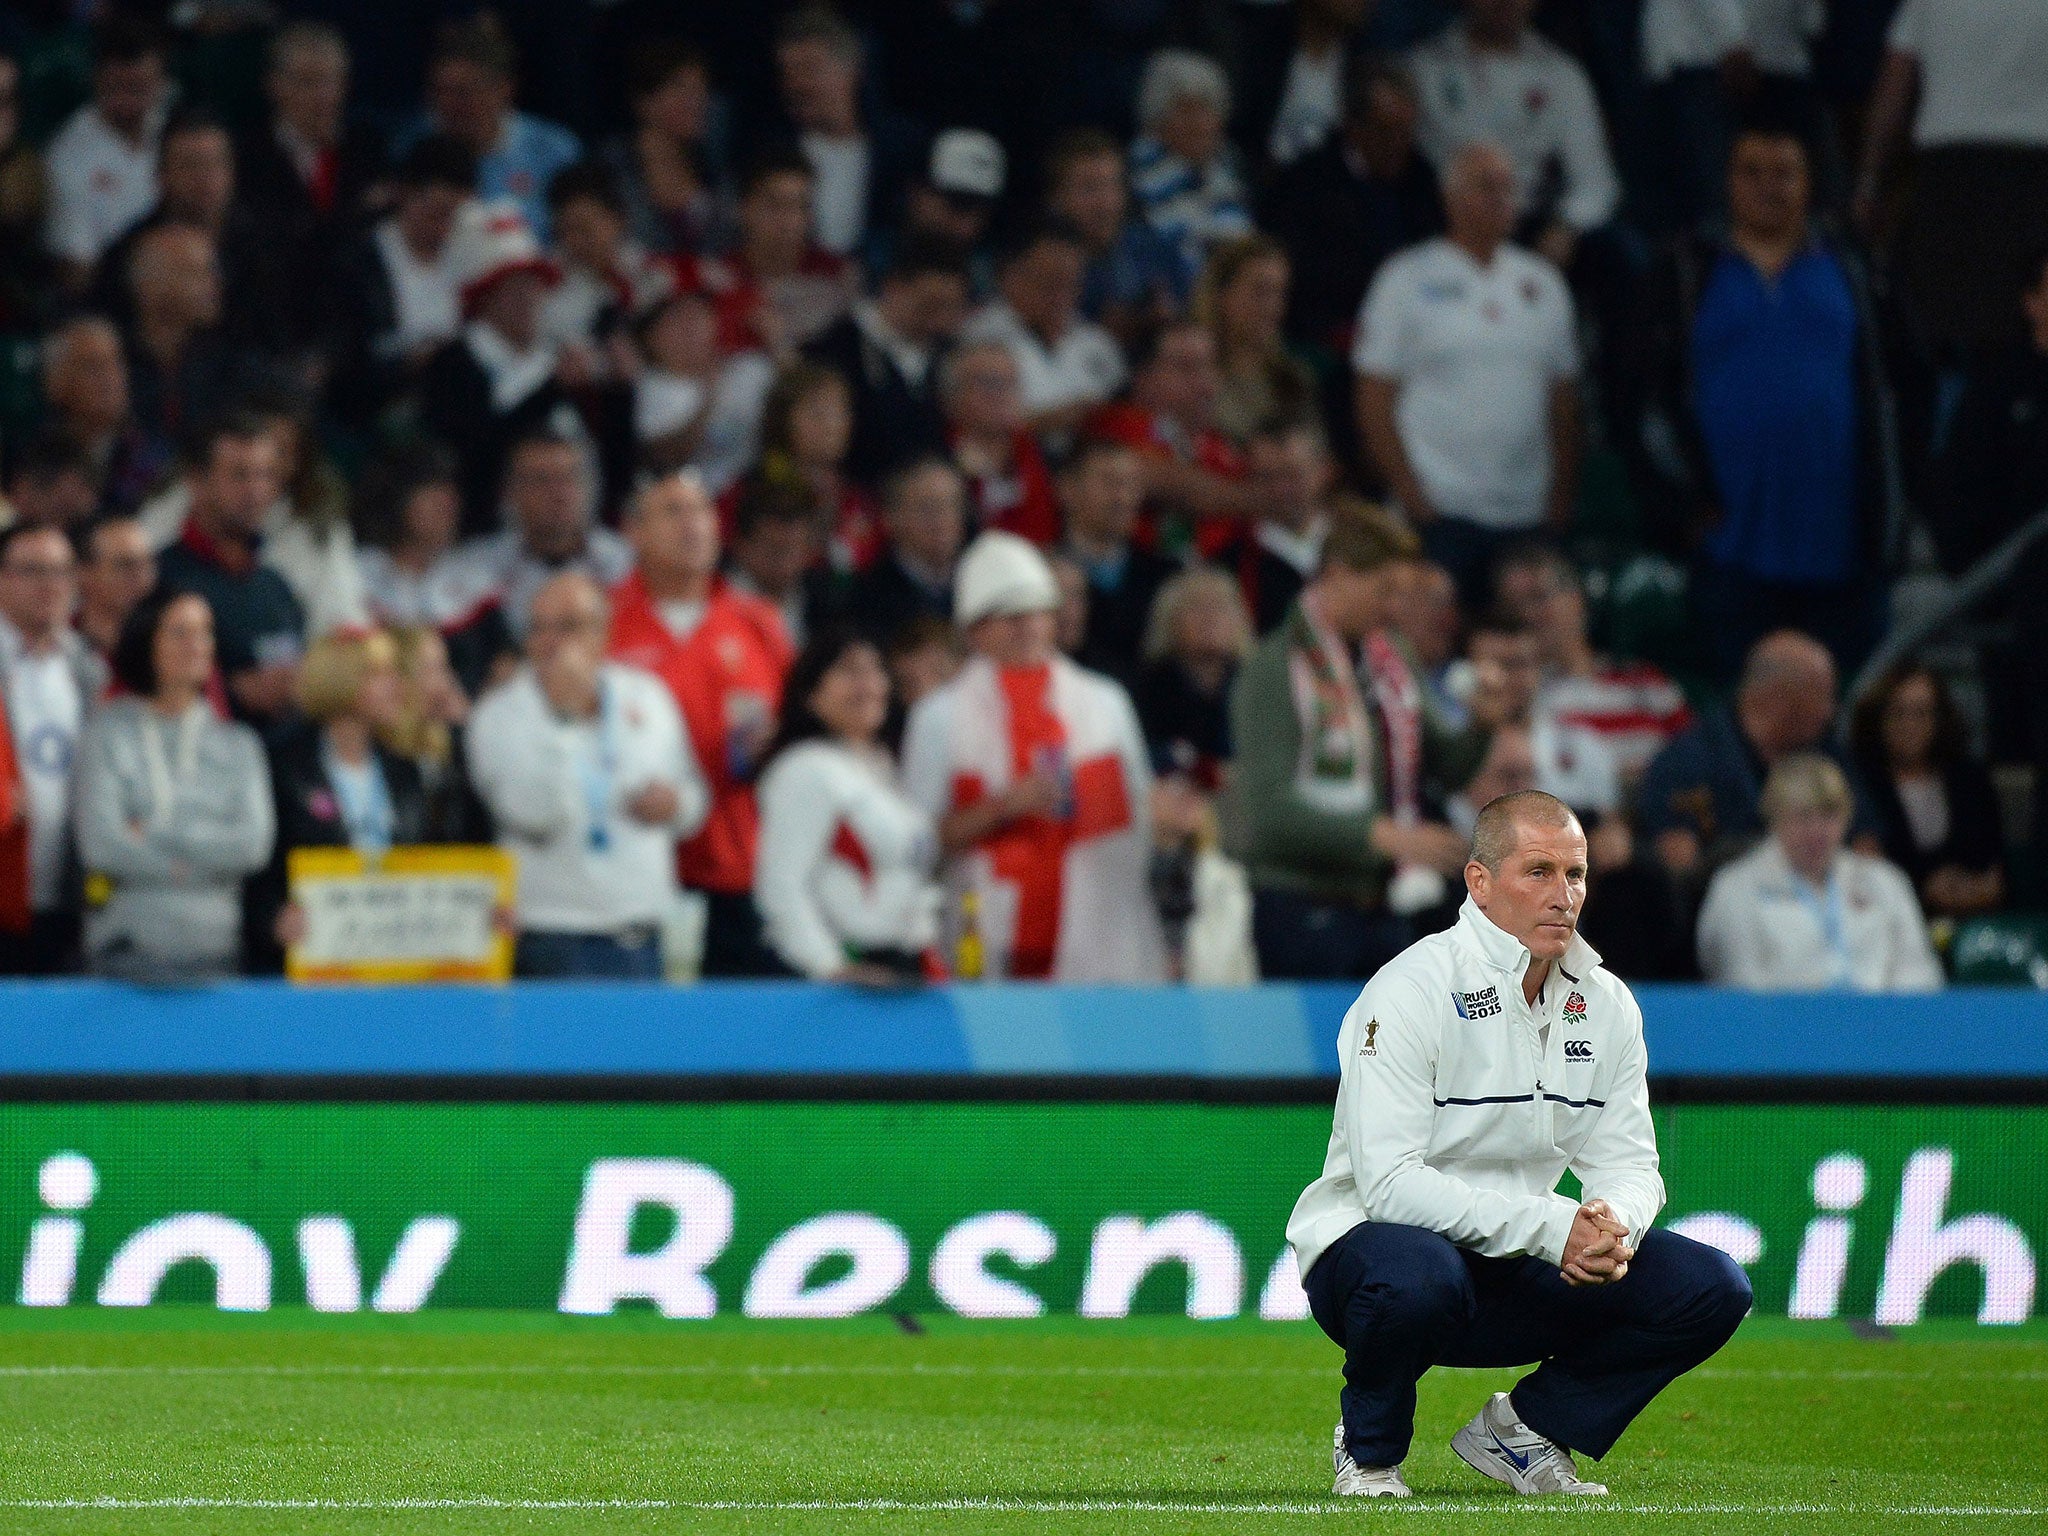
point(677, 200)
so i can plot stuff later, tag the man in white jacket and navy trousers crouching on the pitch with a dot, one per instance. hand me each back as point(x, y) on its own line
point(1478, 1068)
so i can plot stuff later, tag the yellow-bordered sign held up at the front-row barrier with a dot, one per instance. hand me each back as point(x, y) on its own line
point(419, 914)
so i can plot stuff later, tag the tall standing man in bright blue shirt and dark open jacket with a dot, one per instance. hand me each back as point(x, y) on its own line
point(1770, 380)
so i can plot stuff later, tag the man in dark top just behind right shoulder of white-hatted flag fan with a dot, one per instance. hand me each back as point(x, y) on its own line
point(1103, 493)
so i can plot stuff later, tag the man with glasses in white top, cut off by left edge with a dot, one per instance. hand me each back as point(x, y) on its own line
point(50, 679)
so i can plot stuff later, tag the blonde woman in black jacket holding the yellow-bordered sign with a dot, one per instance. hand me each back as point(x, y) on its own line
point(335, 781)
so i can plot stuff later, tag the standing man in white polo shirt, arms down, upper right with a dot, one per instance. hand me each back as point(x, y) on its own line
point(1467, 380)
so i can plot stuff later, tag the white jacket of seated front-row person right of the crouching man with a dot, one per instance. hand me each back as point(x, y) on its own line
point(1764, 929)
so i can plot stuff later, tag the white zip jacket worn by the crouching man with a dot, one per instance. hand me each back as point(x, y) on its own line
point(1459, 1115)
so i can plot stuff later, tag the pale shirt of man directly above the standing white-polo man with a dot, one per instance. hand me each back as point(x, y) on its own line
point(1535, 103)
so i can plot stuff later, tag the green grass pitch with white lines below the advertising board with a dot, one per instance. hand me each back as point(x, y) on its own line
point(181, 1420)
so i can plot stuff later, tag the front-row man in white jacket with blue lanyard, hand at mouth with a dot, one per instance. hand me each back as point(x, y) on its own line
point(591, 777)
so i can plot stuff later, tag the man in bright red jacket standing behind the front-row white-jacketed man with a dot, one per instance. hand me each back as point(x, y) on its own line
point(722, 656)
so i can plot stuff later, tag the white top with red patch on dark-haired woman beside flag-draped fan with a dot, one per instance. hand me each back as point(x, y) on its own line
point(845, 859)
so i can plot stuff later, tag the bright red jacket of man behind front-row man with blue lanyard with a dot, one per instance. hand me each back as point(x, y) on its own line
point(726, 675)
